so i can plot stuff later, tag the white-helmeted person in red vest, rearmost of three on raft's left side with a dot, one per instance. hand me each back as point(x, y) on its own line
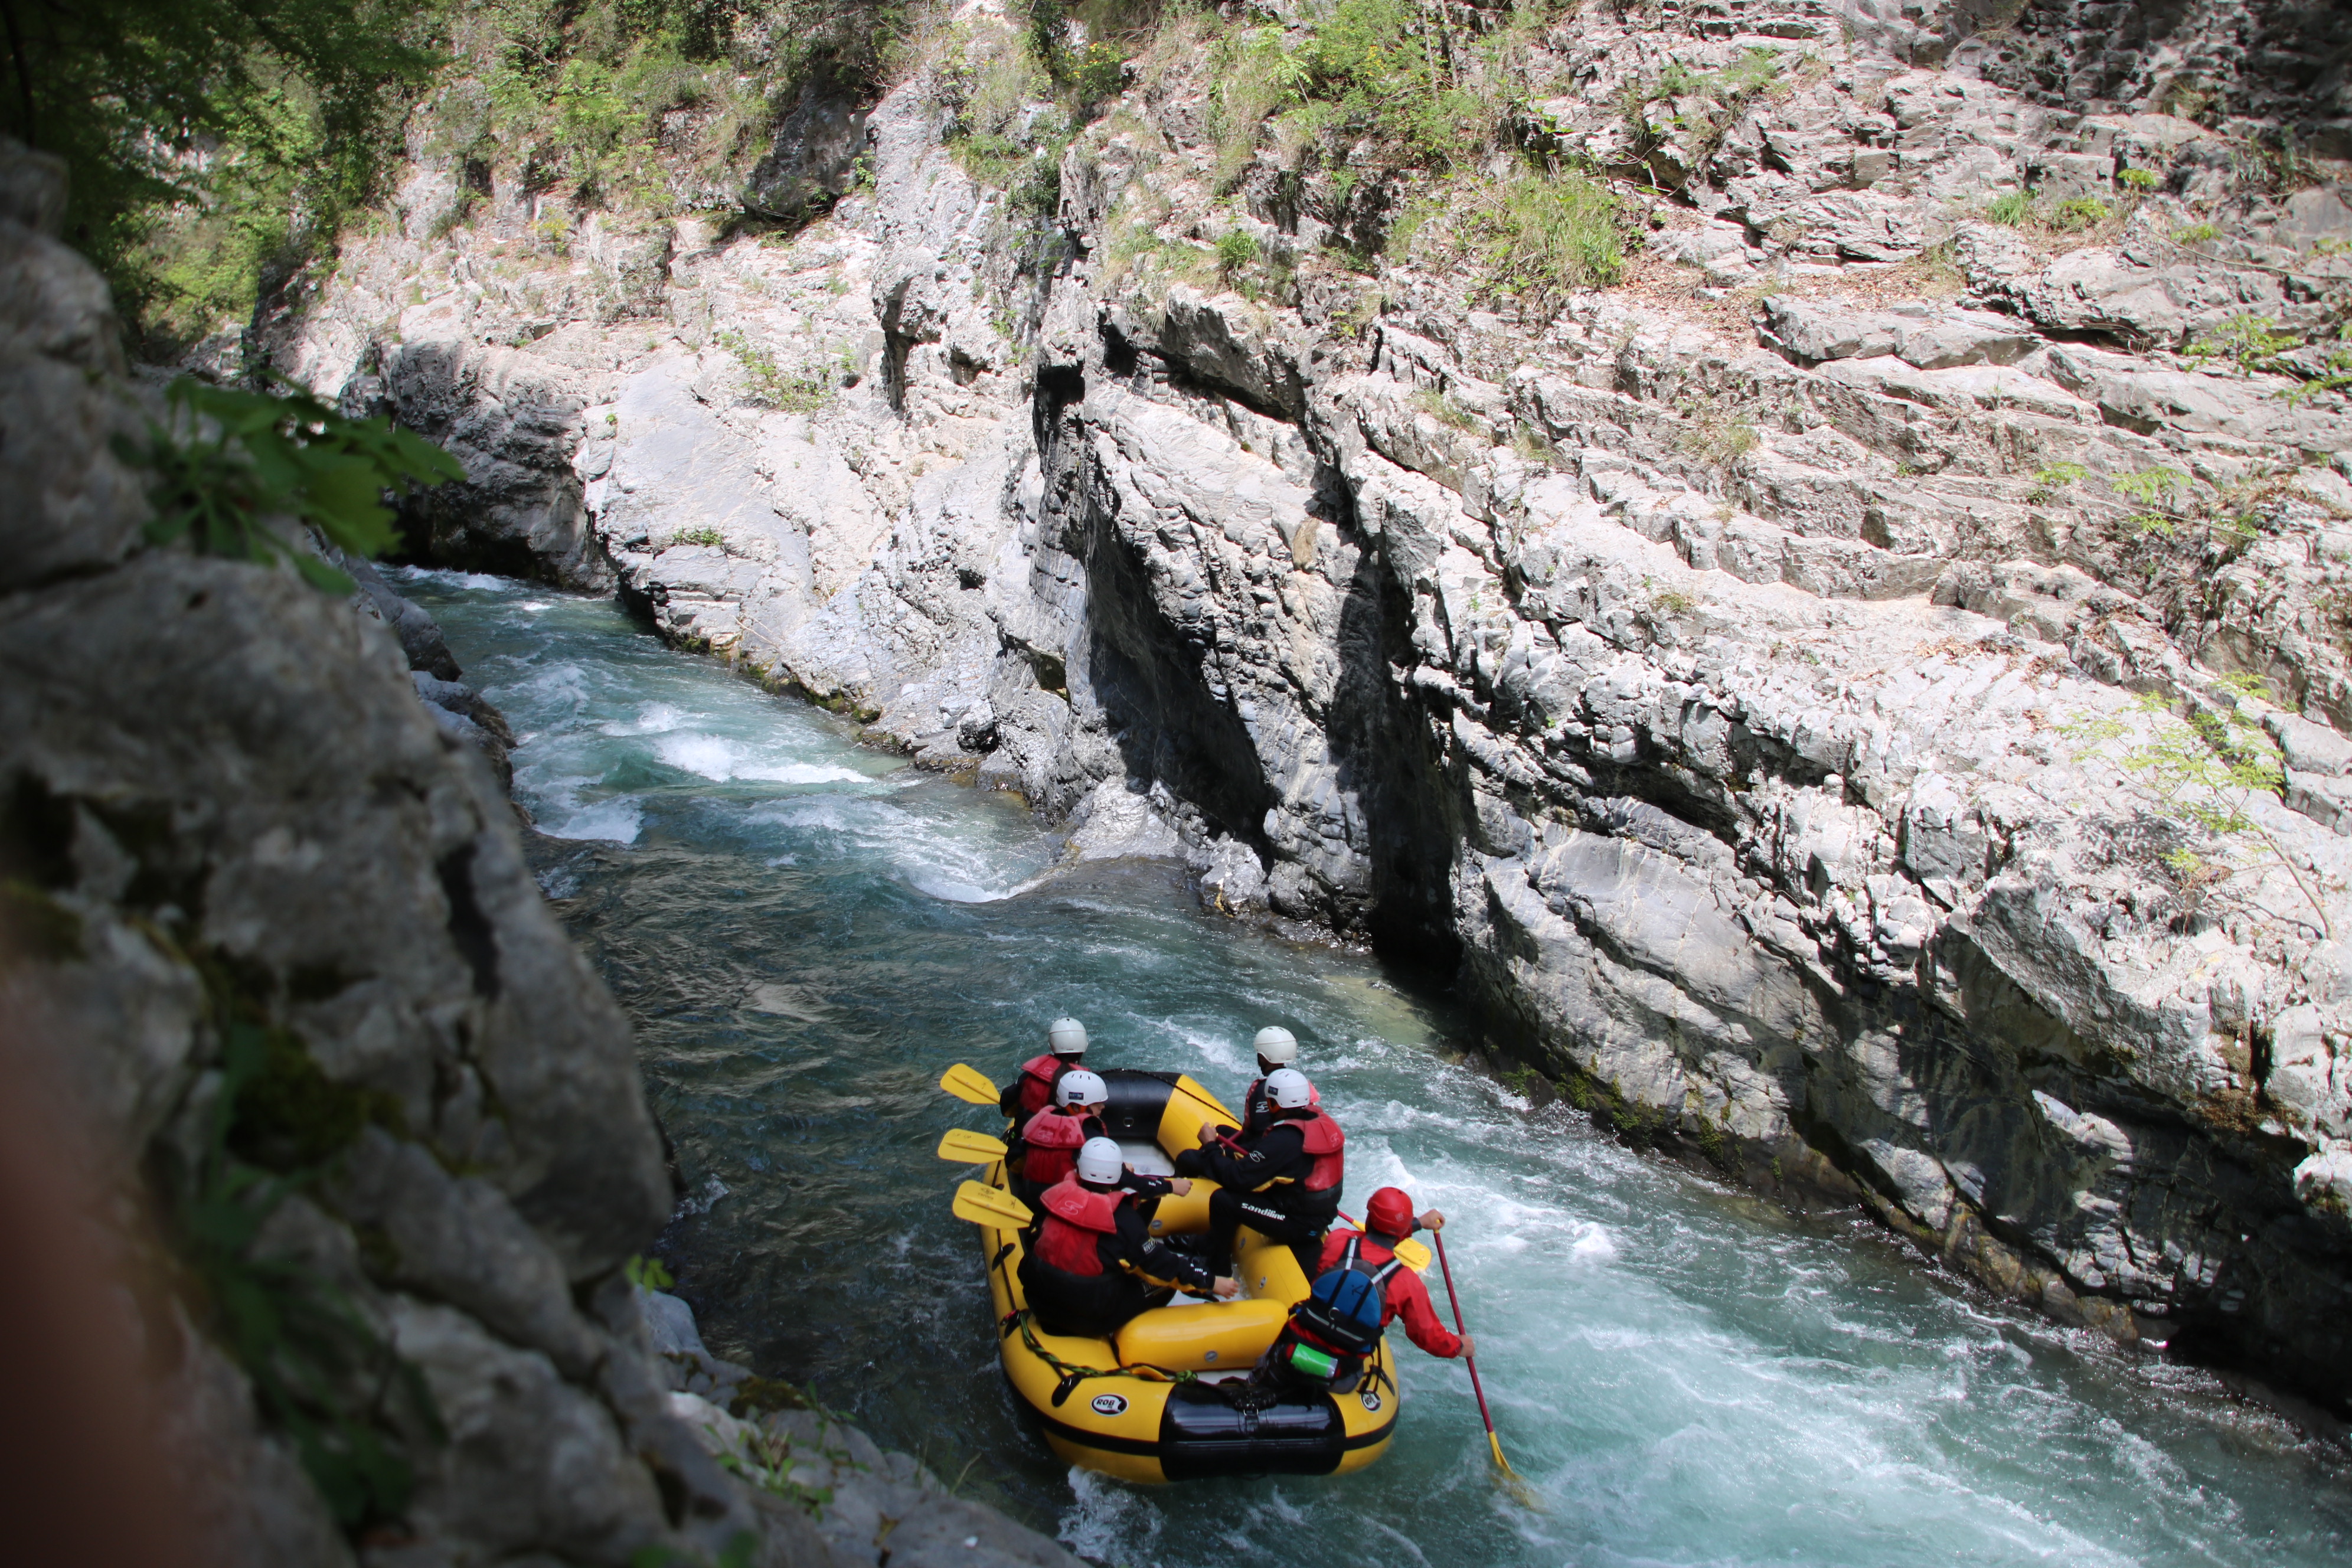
point(1095, 1261)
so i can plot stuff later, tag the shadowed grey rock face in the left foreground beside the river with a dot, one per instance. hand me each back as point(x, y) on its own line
point(363, 1127)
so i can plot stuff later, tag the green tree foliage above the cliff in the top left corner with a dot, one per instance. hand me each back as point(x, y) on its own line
point(215, 147)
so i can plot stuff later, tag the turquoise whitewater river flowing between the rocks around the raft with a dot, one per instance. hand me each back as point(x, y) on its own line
point(806, 934)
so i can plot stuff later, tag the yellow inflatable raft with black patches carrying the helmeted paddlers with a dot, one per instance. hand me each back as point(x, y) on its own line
point(1123, 1405)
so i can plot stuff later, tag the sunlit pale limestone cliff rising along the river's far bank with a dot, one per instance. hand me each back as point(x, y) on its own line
point(1862, 699)
